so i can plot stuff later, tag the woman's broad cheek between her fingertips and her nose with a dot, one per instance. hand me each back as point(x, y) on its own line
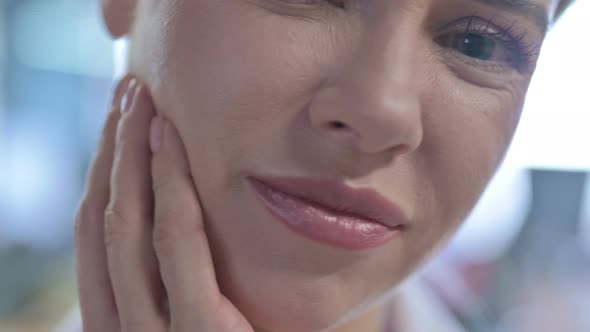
point(227, 76)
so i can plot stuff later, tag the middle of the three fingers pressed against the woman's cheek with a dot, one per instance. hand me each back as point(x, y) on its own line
point(128, 221)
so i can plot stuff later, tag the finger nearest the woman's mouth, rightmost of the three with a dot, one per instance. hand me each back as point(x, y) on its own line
point(181, 244)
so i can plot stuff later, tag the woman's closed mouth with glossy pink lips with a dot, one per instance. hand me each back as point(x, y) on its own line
point(330, 212)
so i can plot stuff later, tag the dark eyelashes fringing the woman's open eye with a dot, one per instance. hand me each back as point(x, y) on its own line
point(522, 54)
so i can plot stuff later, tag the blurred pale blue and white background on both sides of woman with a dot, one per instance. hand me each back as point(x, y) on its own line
point(521, 263)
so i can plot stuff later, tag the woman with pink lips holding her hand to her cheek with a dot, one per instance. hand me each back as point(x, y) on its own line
point(304, 156)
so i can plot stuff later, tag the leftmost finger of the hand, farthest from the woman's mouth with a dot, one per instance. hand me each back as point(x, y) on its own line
point(97, 304)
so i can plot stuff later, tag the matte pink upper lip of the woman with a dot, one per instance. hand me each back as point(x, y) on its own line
point(366, 203)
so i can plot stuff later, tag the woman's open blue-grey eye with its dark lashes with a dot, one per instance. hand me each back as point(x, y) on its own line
point(482, 43)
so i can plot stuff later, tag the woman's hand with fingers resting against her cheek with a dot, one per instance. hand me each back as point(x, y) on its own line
point(143, 258)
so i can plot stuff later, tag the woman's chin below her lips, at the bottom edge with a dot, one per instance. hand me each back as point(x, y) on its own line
point(287, 304)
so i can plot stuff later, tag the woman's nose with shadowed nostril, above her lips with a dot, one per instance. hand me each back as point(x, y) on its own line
point(372, 99)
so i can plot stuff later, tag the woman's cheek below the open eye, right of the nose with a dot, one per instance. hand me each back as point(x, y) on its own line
point(467, 132)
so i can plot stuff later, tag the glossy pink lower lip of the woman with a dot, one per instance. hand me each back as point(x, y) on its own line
point(321, 224)
